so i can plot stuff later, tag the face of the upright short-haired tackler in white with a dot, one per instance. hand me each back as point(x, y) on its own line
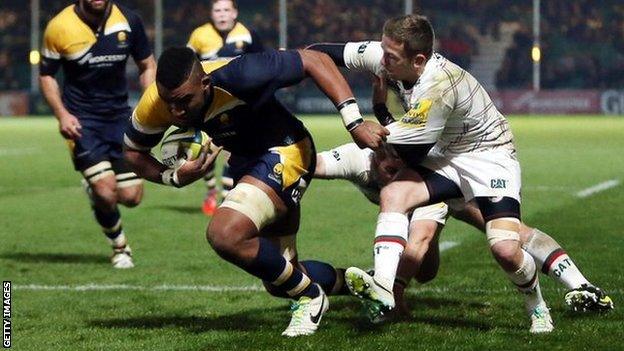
point(398, 65)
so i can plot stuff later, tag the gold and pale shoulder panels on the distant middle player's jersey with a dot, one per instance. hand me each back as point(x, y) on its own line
point(206, 41)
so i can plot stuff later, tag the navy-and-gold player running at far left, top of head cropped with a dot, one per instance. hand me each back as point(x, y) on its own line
point(91, 41)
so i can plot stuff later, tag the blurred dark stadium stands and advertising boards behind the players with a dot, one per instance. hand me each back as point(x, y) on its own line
point(577, 69)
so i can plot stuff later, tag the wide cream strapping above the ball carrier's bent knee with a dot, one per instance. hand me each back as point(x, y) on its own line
point(253, 203)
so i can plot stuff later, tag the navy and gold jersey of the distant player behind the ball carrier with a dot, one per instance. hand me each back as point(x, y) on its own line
point(209, 44)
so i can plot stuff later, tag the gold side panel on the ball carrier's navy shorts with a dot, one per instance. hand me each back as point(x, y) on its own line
point(295, 161)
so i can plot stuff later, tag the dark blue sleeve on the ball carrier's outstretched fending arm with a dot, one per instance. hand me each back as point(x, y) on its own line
point(256, 77)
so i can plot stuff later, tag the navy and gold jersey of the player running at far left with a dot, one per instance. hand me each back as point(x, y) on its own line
point(94, 63)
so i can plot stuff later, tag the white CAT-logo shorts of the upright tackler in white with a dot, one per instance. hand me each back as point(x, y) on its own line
point(479, 174)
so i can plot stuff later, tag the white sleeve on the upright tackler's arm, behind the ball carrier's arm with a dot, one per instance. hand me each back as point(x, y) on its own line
point(364, 56)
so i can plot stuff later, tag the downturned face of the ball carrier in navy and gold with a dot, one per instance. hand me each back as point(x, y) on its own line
point(186, 102)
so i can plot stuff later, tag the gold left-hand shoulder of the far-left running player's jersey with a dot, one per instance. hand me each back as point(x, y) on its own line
point(67, 36)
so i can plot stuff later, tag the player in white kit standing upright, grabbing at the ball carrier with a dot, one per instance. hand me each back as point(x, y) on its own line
point(474, 157)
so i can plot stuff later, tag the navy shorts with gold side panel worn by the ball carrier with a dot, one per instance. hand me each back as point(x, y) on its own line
point(286, 169)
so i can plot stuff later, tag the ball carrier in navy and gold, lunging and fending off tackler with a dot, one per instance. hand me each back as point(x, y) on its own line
point(273, 158)
